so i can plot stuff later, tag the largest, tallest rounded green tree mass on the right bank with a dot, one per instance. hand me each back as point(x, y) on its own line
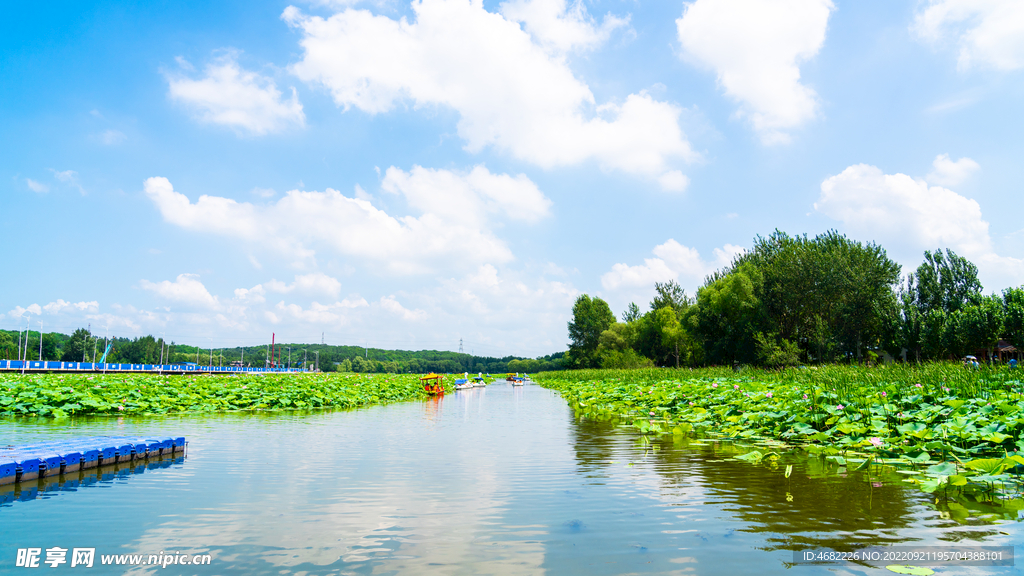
point(828, 296)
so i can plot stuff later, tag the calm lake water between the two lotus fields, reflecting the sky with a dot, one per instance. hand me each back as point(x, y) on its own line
point(488, 481)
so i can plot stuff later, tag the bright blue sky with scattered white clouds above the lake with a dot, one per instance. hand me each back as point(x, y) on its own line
point(405, 176)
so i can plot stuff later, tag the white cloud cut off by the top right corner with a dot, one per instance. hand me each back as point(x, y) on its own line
point(990, 33)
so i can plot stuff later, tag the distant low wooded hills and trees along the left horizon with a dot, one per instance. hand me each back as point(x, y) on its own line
point(83, 347)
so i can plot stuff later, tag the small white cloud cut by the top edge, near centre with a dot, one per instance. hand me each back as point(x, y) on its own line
point(561, 27)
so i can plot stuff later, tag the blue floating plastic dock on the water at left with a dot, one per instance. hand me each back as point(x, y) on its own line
point(25, 464)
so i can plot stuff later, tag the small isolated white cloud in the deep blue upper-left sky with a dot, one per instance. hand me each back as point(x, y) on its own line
point(242, 100)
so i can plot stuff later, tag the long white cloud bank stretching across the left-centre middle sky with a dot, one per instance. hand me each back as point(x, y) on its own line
point(304, 222)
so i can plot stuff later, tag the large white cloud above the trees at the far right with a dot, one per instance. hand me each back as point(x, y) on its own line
point(908, 217)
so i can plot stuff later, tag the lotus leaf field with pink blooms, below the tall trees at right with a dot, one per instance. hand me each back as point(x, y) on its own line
point(945, 427)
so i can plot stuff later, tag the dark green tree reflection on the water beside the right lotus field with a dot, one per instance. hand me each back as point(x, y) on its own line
point(820, 506)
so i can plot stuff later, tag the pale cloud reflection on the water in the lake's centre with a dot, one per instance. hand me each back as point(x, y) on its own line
point(380, 486)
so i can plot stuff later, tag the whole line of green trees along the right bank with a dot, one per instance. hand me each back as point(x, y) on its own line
point(795, 300)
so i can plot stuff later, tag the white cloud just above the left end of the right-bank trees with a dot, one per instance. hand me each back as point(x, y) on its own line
point(672, 262)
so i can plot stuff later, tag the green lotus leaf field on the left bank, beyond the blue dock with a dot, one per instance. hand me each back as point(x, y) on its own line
point(62, 396)
